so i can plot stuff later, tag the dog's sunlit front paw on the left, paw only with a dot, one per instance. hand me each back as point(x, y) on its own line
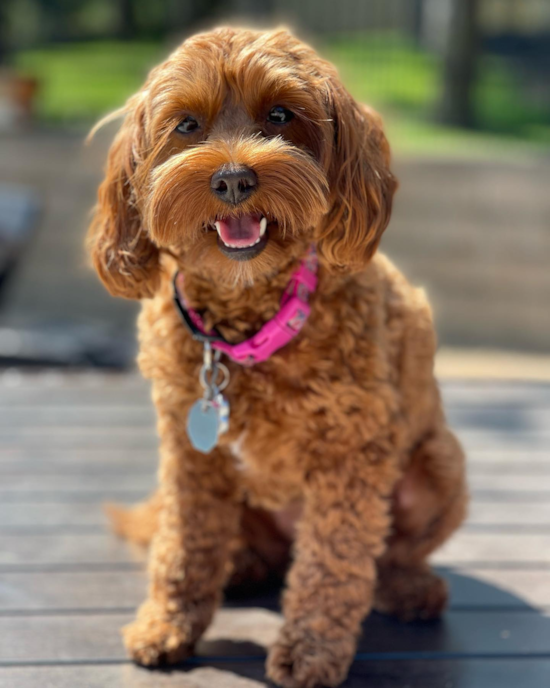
point(154, 639)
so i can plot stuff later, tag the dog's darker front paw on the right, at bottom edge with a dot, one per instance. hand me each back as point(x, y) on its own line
point(301, 658)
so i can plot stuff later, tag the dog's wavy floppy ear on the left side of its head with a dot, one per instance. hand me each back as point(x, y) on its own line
point(123, 255)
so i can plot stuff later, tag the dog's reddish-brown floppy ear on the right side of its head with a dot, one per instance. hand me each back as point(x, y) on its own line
point(361, 183)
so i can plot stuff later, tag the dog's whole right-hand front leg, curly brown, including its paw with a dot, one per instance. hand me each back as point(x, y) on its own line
point(330, 586)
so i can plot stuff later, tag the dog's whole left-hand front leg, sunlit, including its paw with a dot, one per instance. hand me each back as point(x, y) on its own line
point(190, 552)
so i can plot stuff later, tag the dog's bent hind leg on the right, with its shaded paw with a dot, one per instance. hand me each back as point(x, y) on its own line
point(430, 503)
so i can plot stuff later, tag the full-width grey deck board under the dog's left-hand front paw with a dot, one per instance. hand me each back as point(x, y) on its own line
point(89, 636)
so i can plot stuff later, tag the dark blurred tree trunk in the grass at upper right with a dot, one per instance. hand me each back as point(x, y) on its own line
point(460, 62)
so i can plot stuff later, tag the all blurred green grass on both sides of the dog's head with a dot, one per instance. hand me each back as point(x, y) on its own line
point(82, 82)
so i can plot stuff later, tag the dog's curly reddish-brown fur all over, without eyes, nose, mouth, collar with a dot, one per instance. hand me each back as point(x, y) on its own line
point(337, 444)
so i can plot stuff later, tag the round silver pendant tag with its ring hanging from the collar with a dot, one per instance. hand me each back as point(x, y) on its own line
point(209, 417)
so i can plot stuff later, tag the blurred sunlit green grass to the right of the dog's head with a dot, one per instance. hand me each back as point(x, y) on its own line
point(404, 83)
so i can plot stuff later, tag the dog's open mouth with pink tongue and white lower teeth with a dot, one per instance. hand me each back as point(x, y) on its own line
point(243, 237)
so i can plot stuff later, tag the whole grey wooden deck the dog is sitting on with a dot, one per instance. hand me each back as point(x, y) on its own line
point(70, 442)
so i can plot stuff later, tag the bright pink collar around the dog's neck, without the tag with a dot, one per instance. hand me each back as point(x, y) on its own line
point(277, 332)
